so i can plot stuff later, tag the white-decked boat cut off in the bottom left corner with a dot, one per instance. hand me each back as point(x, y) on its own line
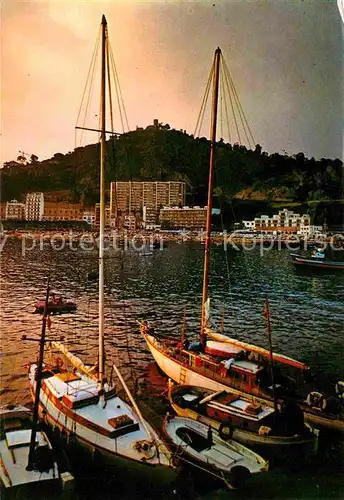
point(44, 477)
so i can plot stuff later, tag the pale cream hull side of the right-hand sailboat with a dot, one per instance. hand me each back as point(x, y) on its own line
point(184, 374)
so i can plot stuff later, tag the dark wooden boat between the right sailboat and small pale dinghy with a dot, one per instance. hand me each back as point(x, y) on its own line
point(245, 420)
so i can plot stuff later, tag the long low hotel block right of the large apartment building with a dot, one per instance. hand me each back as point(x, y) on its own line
point(183, 218)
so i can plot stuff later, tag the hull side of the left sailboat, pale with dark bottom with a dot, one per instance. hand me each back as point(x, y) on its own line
point(80, 433)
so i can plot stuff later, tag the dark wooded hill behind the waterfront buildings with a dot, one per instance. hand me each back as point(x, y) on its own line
point(159, 153)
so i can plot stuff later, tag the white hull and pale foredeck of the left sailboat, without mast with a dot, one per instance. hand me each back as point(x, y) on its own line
point(85, 428)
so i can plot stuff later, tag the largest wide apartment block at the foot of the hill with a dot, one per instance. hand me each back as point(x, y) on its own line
point(128, 197)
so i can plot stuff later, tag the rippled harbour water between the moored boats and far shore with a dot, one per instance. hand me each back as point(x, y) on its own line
point(307, 309)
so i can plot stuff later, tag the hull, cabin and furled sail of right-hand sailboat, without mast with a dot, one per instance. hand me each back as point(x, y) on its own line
point(223, 363)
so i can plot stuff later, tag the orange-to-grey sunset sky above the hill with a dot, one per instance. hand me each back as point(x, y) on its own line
point(285, 58)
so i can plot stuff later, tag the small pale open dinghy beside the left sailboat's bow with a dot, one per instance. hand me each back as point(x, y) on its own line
point(197, 442)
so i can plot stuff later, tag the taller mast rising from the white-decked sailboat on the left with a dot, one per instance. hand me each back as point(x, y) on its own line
point(102, 206)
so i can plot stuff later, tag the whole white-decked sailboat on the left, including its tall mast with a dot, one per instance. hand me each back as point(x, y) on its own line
point(81, 403)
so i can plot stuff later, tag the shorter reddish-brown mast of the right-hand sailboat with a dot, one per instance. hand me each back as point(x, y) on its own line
point(210, 187)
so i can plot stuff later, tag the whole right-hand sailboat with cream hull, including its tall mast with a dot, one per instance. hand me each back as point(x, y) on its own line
point(216, 361)
